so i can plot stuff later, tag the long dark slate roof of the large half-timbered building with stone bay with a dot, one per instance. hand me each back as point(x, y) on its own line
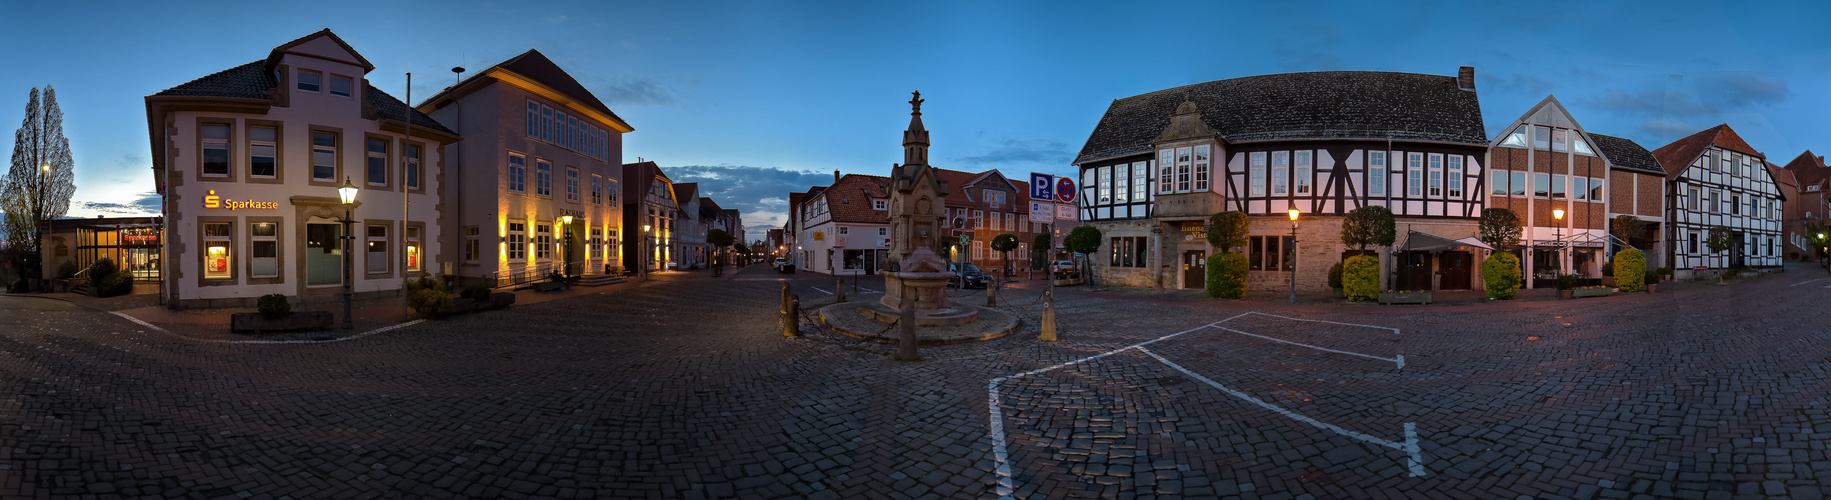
point(1323, 105)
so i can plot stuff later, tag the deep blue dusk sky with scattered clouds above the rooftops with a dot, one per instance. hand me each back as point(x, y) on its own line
point(755, 100)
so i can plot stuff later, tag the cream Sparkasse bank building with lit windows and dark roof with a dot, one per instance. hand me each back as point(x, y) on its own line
point(250, 162)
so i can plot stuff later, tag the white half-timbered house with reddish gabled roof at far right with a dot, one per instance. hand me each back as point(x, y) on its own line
point(1715, 179)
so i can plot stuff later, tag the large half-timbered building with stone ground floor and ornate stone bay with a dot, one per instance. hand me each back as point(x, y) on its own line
point(1325, 144)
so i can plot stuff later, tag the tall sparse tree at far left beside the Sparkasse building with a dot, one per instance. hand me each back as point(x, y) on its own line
point(41, 180)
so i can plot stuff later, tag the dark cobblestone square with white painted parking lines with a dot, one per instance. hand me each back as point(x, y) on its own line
point(686, 389)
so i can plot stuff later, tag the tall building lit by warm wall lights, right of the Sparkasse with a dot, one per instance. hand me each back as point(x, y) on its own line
point(541, 151)
